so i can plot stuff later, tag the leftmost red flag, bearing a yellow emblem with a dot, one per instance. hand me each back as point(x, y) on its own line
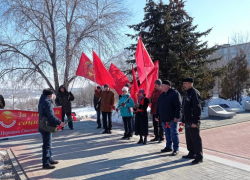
point(85, 68)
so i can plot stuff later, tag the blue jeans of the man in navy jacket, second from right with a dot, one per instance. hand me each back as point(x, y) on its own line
point(171, 135)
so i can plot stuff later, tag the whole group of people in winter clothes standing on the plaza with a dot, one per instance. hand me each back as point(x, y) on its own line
point(167, 109)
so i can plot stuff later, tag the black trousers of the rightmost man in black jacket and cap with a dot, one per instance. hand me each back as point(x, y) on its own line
point(194, 142)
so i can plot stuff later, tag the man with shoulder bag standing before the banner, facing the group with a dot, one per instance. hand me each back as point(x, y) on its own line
point(45, 109)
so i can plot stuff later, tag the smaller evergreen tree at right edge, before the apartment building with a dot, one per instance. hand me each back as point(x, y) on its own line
point(236, 78)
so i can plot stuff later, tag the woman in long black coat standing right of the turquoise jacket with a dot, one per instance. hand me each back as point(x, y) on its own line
point(141, 117)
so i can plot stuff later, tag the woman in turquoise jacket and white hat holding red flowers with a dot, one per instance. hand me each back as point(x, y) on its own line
point(126, 105)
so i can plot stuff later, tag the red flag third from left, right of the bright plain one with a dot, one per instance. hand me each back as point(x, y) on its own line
point(119, 77)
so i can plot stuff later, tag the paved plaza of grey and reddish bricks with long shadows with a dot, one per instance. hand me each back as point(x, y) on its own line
point(85, 153)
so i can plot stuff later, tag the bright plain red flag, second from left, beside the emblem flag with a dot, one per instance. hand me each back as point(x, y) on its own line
point(102, 76)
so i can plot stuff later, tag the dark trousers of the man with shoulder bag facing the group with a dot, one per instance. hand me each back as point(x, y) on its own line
point(47, 144)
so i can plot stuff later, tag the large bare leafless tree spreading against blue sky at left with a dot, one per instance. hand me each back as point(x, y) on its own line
point(41, 40)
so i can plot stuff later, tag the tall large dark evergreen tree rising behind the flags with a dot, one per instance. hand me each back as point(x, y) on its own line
point(170, 37)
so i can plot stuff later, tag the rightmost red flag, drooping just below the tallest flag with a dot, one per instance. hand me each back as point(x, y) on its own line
point(153, 75)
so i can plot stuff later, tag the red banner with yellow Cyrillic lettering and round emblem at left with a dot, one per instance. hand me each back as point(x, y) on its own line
point(18, 123)
